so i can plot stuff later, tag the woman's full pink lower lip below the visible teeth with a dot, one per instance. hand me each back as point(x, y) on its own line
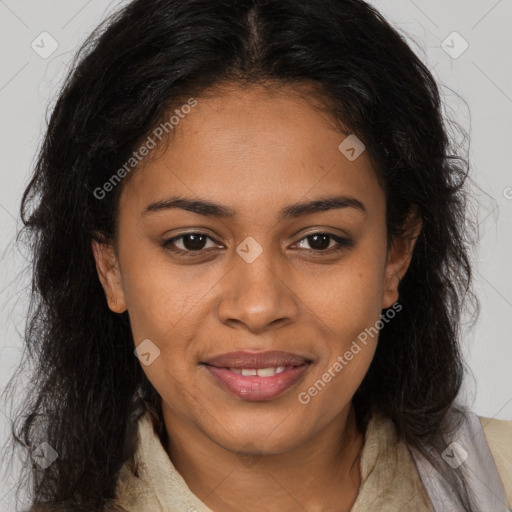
point(254, 388)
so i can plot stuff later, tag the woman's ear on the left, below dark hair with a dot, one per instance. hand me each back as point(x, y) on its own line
point(109, 274)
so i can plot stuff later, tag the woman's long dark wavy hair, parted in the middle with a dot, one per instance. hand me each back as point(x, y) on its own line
point(87, 387)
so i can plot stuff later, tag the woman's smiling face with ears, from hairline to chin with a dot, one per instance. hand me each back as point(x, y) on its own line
point(258, 279)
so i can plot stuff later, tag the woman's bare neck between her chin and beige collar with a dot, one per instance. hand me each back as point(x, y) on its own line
point(312, 476)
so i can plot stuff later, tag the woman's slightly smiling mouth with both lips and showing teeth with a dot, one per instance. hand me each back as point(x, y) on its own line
point(257, 376)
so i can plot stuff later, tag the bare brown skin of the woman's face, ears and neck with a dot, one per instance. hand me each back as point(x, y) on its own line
point(256, 151)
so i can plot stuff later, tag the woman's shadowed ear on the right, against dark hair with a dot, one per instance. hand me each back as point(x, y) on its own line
point(399, 258)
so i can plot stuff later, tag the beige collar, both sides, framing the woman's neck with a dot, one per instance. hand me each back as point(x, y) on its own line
point(389, 478)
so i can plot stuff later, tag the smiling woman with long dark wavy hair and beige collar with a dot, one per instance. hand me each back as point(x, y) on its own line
point(251, 258)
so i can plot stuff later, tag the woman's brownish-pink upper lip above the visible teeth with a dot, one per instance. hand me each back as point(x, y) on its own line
point(264, 359)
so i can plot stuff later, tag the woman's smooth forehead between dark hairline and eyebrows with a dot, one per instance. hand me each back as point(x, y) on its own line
point(256, 146)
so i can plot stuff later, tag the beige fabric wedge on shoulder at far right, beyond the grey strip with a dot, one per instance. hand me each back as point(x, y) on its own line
point(499, 438)
